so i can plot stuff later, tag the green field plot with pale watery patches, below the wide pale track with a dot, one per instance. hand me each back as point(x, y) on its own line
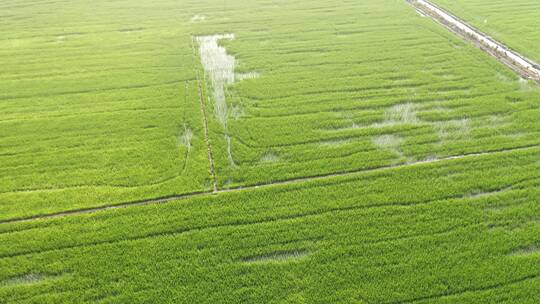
point(378, 86)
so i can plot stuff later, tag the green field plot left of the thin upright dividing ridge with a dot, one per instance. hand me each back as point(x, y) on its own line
point(96, 108)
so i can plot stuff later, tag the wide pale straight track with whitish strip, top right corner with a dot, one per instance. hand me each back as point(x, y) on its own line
point(522, 65)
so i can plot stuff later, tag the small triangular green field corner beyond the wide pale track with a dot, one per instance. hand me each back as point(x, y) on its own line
point(514, 23)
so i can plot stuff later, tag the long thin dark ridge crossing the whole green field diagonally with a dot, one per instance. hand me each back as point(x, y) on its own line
point(265, 185)
